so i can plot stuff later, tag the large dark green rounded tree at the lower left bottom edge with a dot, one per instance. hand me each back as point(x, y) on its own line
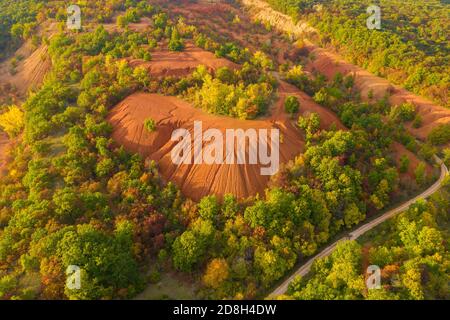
point(107, 261)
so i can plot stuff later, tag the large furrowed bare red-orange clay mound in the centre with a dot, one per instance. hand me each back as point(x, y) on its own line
point(195, 180)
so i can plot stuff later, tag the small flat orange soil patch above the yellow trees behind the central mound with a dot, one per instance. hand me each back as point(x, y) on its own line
point(169, 63)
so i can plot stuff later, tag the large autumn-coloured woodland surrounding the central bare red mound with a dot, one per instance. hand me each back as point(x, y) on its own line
point(73, 197)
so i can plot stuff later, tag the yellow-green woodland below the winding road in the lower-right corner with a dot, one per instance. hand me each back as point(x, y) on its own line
point(410, 250)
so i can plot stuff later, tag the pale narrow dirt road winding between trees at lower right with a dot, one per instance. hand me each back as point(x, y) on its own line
point(304, 269)
